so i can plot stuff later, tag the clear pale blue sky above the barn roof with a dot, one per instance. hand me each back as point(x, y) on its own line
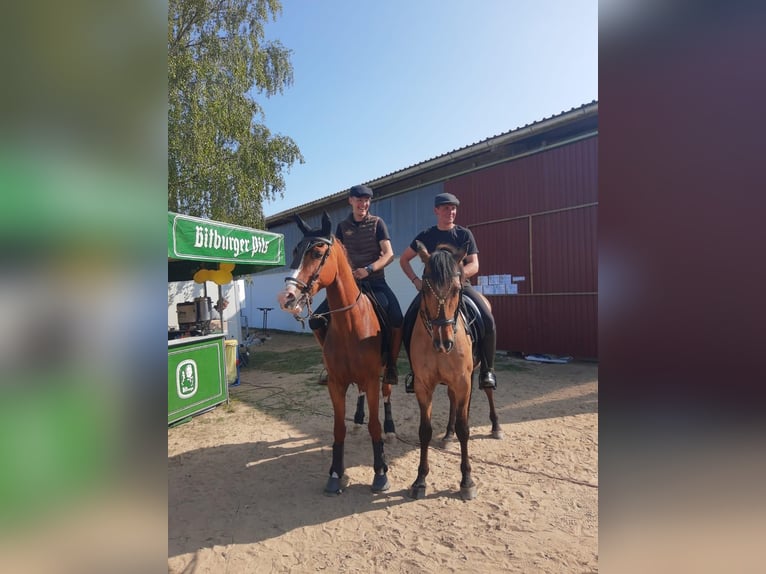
point(380, 86)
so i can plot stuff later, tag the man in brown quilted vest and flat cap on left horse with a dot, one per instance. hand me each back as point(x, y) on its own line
point(368, 245)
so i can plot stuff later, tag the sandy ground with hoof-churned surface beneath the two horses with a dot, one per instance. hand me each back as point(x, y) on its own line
point(246, 480)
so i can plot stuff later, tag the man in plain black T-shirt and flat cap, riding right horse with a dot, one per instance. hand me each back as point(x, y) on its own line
point(446, 231)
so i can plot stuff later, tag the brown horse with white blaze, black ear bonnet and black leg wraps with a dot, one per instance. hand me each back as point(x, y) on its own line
point(352, 347)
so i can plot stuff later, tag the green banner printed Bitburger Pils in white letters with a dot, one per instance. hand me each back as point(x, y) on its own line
point(205, 240)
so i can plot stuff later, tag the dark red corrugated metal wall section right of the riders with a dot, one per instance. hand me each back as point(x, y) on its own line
point(535, 218)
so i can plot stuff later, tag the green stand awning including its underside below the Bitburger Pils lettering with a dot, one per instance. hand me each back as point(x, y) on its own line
point(195, 244)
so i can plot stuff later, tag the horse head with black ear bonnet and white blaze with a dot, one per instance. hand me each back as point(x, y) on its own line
point(310, 269)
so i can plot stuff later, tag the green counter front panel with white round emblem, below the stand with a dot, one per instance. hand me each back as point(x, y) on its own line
point(196, 376)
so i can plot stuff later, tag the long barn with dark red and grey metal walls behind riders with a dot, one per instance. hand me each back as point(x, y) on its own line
point(530, 198)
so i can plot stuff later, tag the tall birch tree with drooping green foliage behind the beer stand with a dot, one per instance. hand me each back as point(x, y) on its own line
point(222, 160)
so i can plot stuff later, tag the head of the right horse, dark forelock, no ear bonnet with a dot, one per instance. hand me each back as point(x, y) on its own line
point(442, 290)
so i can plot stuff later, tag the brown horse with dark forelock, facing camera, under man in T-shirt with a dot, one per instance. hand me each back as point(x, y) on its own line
point(441, 353)
